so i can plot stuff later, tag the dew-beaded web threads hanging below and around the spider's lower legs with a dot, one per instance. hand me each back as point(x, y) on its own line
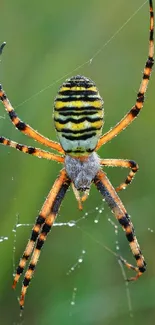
point(80, 260)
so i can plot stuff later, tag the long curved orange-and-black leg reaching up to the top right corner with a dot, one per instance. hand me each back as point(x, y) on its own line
point(132, 114)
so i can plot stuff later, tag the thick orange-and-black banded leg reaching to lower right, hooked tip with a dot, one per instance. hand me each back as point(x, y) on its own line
point(108, 192)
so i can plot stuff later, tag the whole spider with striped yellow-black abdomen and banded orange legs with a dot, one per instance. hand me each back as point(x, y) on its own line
point(78, 118)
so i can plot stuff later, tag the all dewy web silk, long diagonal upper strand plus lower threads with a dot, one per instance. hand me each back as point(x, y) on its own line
point(78, 264)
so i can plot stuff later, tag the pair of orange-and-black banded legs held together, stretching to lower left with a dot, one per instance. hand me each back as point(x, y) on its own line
point(40, 230)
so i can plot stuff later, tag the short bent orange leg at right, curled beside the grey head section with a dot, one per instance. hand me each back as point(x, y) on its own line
point(125, 164)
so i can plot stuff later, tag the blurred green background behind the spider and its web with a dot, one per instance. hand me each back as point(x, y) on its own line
point(45, 41)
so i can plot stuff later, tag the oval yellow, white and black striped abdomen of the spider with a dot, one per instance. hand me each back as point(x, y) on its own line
point(78, 116)
